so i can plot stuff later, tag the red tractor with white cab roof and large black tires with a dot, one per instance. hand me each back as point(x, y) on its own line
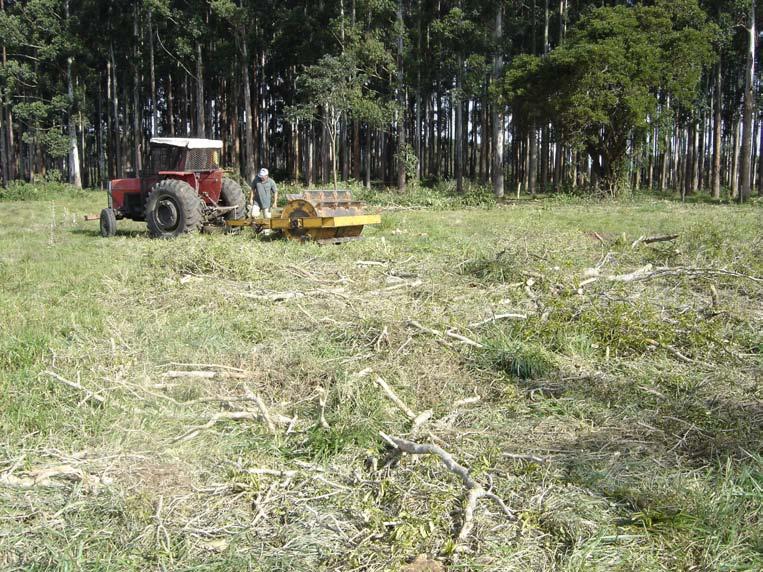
point(182, 189)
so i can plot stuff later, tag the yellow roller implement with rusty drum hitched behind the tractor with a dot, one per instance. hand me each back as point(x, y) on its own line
point(319, 216)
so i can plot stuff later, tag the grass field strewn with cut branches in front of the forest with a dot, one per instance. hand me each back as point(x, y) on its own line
point(621, 419)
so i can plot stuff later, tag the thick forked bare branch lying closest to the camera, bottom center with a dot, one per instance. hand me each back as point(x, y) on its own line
point(475, 490)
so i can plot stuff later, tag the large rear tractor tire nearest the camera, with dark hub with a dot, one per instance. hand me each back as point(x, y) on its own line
point(173, 208)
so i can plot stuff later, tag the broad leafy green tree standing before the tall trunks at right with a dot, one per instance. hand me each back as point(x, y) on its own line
point(605, 83)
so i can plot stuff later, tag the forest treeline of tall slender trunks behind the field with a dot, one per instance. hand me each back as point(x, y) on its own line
point(526, 96)
